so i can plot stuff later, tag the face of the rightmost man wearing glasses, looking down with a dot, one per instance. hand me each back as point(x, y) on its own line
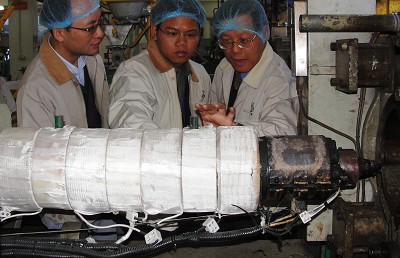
point(242, 59)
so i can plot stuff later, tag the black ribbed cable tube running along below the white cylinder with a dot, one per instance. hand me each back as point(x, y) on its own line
point(30, 248)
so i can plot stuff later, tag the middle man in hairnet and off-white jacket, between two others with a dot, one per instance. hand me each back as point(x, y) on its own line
point(159, 87)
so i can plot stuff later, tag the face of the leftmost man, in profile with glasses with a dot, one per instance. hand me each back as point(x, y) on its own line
point(77, 41)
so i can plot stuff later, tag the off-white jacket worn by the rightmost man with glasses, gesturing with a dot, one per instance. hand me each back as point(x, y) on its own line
point(267, 98)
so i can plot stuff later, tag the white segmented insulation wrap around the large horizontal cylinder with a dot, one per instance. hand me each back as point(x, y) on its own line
point(153, 171)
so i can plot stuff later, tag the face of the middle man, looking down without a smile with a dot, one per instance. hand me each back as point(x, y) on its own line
point(177, 38)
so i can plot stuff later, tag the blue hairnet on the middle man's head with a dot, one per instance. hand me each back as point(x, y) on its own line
point(166, 9)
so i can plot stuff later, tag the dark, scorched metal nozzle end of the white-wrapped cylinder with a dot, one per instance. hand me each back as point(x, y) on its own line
point(309, 166)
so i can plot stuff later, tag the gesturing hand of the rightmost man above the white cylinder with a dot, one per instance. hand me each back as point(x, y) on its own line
point(216, 114)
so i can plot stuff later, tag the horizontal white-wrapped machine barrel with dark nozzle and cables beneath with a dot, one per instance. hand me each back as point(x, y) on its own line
point(163, 172)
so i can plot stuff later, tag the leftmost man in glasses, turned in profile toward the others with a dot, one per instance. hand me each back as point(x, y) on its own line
point(67, 77)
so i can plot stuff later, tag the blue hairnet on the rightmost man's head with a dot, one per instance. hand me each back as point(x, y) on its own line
point(226, 17)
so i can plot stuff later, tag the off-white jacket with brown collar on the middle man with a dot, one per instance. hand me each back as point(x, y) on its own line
point(143, 93)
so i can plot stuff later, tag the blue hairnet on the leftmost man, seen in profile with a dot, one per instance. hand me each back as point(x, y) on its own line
point(62, 13)
